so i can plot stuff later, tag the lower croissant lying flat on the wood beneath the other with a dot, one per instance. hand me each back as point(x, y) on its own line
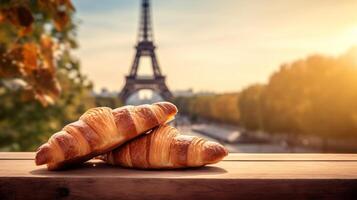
point(165, 148)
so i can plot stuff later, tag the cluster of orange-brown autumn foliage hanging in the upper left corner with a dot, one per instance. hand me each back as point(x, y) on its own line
point(32, 34)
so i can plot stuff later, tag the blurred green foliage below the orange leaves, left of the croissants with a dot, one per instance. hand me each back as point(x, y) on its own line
point(25, 125)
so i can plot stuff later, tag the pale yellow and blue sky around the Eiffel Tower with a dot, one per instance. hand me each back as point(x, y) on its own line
point(209, 45)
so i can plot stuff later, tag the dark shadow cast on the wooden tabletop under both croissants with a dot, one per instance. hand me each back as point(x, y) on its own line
point(95, 168)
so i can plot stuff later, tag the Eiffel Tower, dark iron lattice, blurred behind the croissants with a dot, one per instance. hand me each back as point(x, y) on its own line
point(145, 47)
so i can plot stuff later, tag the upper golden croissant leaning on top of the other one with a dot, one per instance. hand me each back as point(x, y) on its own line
point(100, 130)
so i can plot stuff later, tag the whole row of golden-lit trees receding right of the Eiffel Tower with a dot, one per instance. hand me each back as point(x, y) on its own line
point(315, 96)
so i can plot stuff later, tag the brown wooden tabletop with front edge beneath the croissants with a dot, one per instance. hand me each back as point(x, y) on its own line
point(239, 176)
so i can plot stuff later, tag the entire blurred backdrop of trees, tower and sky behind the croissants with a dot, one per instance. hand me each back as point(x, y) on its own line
point(258, 76)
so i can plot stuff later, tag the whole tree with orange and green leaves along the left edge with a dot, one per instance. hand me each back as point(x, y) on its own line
point(36, 62)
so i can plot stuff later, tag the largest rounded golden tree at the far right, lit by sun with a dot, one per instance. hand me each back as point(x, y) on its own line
point(317, 96)
